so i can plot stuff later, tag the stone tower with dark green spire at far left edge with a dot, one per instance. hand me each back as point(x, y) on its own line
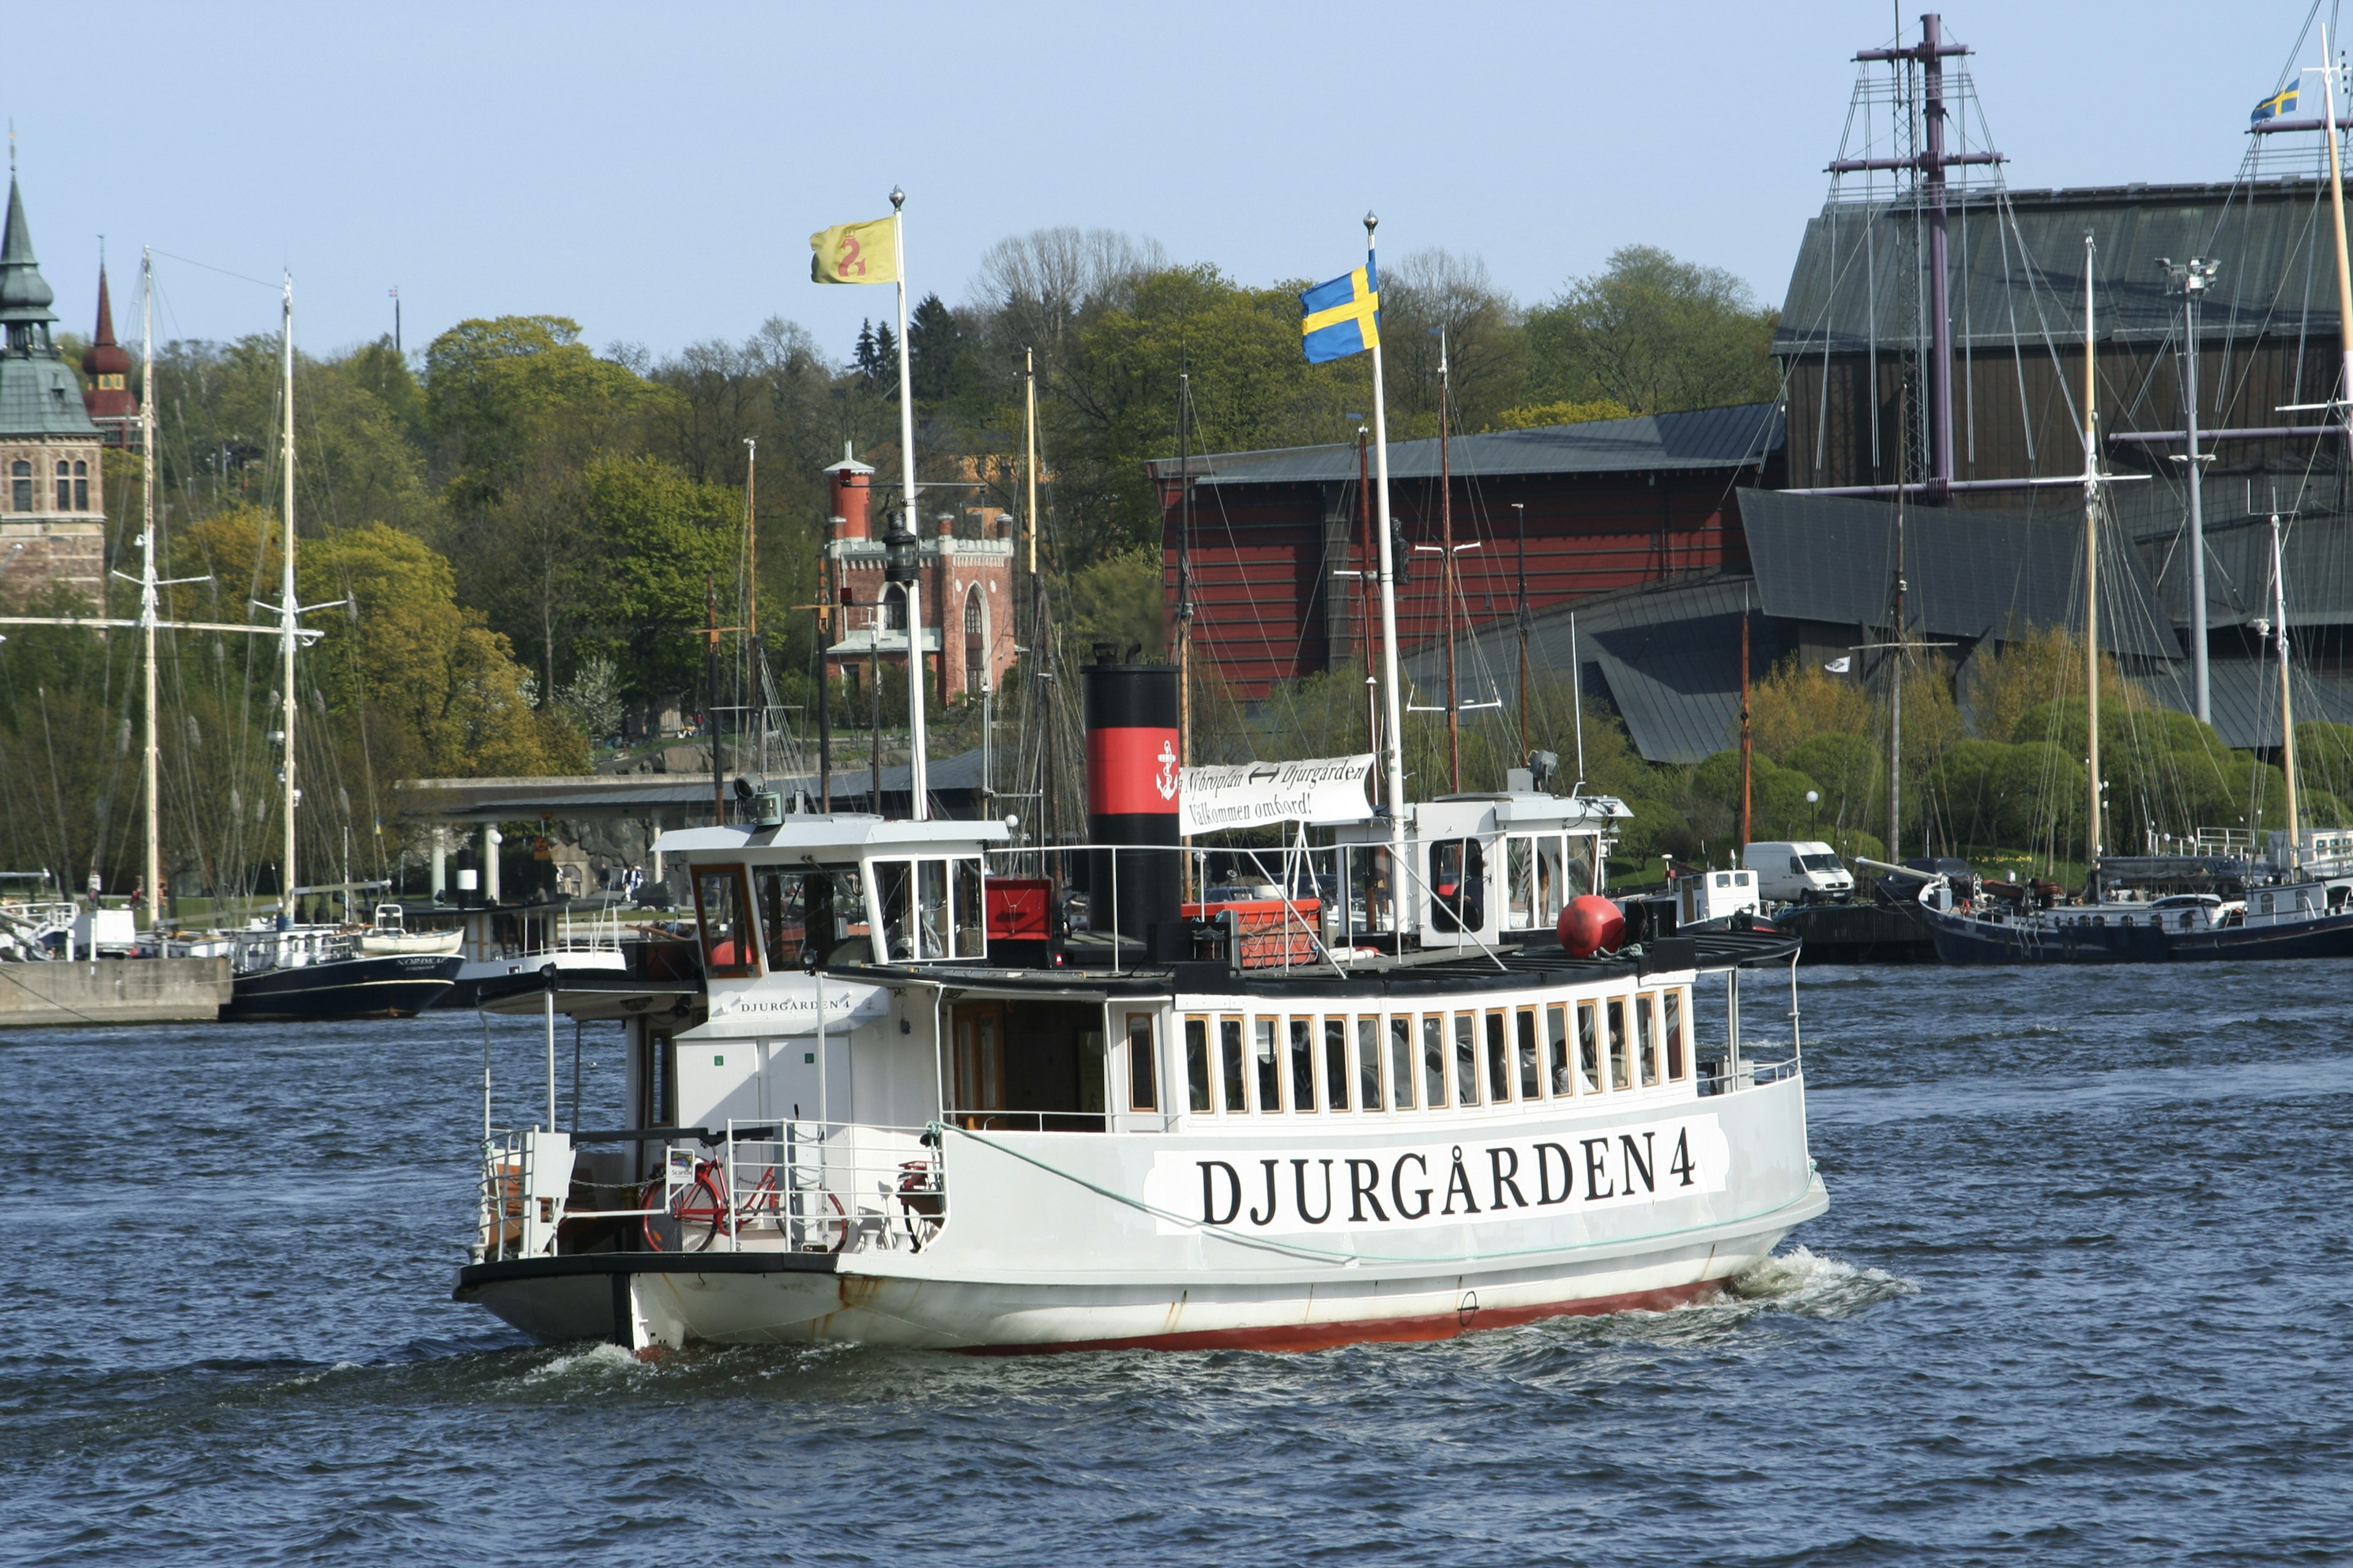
point(53, 512)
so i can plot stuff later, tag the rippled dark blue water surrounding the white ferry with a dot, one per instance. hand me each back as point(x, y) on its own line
point(2081, 1298)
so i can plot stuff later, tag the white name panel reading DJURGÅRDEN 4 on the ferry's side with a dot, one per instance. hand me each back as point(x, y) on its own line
point(1425, 1185)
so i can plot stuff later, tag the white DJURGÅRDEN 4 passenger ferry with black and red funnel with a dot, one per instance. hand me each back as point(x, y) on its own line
point(898, 1110)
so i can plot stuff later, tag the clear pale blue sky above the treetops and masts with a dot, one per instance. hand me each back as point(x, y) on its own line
point(655, 171)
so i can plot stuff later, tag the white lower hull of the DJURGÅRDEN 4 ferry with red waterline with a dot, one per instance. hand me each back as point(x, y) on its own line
point(1149, 1284)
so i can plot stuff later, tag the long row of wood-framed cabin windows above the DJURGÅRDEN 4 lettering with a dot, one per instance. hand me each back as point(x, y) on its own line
point(1422, 1061)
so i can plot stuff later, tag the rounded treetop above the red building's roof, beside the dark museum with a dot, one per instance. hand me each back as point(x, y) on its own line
point(1653, 333)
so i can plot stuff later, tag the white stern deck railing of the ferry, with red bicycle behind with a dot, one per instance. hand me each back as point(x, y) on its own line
point(747, 1188)
